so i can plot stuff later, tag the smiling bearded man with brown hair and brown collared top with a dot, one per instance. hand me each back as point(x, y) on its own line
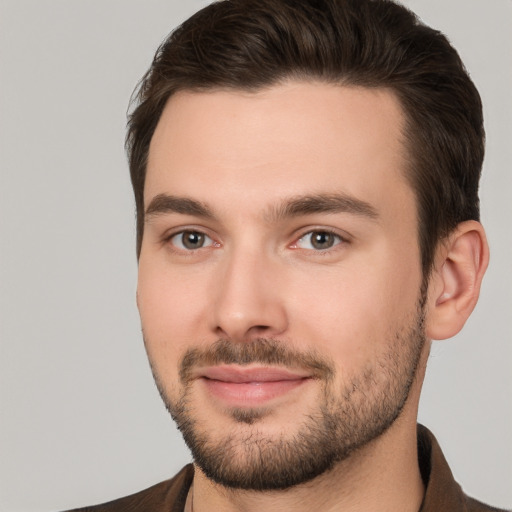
point(306, 177)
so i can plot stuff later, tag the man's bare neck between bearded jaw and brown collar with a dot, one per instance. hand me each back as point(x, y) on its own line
point(383, 476)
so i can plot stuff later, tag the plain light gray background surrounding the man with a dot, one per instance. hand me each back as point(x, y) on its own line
point(81, 421)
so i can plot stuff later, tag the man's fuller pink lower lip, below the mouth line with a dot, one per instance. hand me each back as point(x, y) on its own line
point(250, 394)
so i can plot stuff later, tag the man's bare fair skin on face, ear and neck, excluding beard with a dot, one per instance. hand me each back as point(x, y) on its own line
point(244, 155)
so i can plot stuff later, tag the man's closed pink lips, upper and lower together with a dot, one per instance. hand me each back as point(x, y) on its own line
point(249, 387)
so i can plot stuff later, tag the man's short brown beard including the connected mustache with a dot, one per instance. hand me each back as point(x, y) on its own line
point(346, 417)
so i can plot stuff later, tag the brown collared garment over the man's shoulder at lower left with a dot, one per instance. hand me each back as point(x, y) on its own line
point(165, 496)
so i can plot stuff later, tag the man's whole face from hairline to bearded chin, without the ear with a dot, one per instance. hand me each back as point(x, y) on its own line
point(279, 280)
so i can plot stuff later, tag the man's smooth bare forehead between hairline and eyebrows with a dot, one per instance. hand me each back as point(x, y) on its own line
point(293, 138)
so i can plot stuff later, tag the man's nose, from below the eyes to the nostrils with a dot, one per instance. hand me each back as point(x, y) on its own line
point(250, 298)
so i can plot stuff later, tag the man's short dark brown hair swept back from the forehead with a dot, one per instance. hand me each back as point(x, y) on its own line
point(251, 44)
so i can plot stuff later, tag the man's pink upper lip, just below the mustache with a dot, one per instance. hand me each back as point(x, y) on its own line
point(239, 374)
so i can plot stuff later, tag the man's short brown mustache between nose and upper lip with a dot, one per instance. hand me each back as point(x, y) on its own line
point(266, 351)
